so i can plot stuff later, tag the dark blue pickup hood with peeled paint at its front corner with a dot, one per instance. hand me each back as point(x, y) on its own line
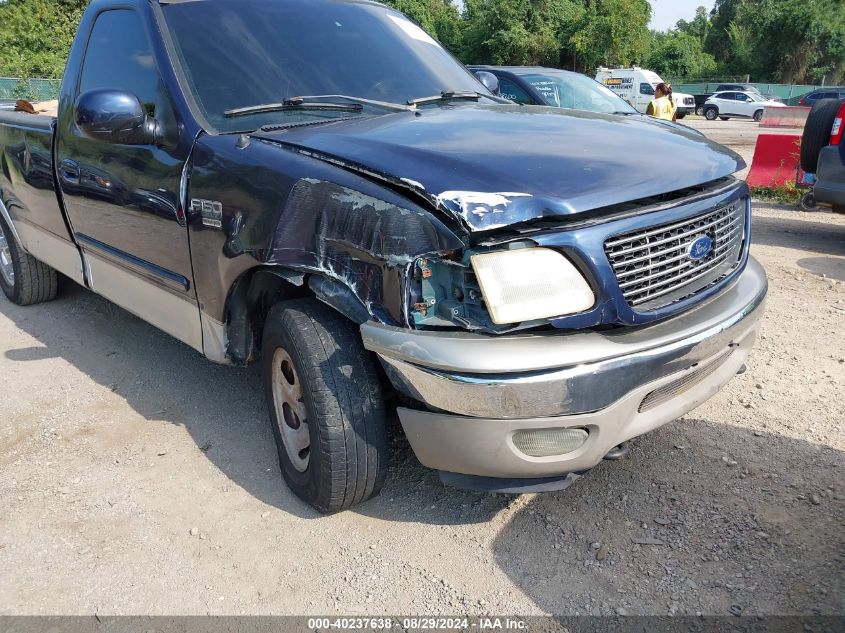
point(490, 166)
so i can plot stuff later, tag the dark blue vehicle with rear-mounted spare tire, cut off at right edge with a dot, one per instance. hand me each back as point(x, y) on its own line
point(823, 151)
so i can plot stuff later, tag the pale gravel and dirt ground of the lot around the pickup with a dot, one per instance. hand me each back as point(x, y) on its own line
point(136, 477)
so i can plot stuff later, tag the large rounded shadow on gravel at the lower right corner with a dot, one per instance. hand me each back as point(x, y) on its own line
point(700, 517)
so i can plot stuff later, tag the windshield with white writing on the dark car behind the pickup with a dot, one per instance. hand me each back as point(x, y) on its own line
point(578, 92)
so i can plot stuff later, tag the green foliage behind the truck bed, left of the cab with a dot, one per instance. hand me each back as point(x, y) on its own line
point(35, 36)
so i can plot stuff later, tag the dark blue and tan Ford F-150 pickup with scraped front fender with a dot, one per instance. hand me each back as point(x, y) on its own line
point(318, 186)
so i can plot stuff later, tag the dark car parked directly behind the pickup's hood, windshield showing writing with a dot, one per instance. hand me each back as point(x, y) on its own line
point(536, 85)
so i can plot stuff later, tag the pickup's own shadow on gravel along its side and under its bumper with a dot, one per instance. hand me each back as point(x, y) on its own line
point(222, 408)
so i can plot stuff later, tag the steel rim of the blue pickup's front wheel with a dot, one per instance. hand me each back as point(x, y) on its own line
point(291, 417)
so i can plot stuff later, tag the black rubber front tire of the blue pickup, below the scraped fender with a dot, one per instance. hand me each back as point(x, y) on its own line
point(346, 422)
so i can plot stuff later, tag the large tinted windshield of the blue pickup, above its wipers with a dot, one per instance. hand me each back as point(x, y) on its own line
point(241, 53)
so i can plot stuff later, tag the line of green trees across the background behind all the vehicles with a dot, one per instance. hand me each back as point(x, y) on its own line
point(783, 41)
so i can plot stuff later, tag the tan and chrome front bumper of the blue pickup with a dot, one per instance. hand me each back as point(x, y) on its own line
point(616, 385)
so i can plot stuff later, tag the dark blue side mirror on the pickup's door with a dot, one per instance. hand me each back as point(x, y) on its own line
point(115, 116)
